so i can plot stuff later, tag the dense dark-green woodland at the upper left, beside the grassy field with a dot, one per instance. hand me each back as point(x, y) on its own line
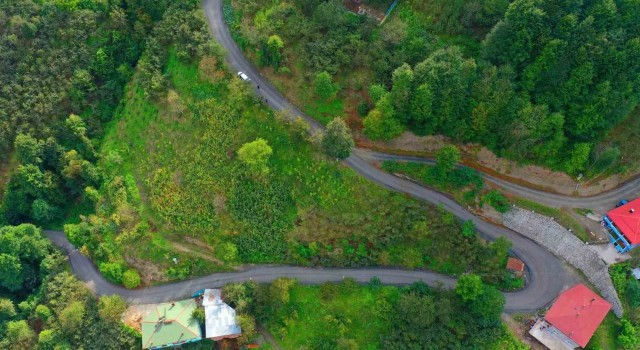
point(64, 68)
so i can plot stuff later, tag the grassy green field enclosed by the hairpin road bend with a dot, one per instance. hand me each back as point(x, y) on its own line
point(191, 198)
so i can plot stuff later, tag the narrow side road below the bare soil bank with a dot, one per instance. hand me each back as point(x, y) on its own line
point(600, 203)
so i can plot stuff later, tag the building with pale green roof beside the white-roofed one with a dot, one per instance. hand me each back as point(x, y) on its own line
point(170, 324)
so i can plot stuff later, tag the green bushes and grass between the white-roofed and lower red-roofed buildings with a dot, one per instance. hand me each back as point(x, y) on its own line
point(347, 315)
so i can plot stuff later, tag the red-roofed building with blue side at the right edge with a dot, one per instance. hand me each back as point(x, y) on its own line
point(623, 224)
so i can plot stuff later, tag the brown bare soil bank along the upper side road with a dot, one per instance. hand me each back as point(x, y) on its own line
point(484, 160)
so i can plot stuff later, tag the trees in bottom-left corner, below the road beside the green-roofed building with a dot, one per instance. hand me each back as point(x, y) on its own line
point(43, 306)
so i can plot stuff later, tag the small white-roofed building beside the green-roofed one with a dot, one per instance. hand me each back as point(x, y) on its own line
point(220, 318)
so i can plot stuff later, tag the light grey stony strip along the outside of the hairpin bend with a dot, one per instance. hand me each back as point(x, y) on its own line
point(555, 238)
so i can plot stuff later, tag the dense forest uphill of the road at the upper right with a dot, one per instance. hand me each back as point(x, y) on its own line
point(535, 81)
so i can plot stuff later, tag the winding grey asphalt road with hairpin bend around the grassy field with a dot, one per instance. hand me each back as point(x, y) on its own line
point(547, 274)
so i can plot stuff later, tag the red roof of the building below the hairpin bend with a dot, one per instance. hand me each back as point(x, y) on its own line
point(577, 313)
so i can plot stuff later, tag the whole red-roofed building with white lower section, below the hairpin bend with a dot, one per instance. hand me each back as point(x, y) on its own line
point(572, 319)
